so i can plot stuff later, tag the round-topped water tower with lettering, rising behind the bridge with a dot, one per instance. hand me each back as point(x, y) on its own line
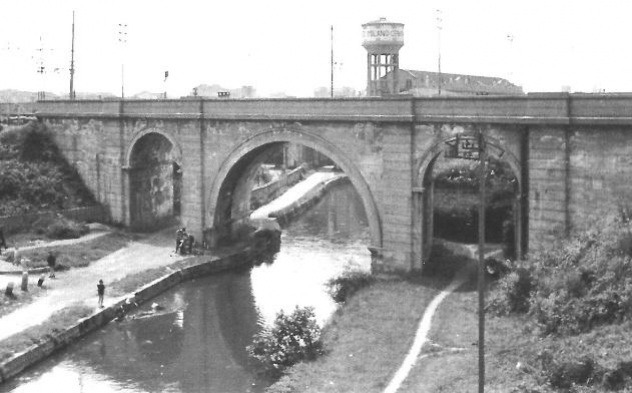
point(382, 40)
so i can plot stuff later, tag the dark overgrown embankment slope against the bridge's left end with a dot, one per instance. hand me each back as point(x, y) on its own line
point(35, 175)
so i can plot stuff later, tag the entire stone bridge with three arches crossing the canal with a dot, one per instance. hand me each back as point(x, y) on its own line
point(196, 159)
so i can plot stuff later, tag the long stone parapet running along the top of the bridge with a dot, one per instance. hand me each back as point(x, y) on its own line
point(538, 108)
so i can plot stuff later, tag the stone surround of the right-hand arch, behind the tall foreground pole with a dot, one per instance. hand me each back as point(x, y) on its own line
point(423, 194)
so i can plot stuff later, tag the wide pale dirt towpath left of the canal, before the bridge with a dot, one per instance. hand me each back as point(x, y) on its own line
point(80, 284)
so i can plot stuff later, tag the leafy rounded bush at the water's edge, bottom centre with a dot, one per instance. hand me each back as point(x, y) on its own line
point(292, 339)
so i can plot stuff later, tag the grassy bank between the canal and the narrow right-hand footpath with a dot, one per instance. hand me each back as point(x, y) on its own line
point(367, 339)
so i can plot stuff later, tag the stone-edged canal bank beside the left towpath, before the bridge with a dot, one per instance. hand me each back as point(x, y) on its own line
point(57, 341)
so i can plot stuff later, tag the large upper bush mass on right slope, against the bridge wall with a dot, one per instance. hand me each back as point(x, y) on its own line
point(581, 283)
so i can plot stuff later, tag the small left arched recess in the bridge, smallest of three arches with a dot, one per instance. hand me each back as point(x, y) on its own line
point(152, 199)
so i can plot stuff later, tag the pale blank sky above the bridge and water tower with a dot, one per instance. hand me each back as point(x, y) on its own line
point(285, 45)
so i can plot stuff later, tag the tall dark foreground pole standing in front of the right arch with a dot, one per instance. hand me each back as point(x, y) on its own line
point(482, 174)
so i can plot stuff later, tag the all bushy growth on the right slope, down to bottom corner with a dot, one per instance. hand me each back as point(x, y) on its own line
point(581, 287)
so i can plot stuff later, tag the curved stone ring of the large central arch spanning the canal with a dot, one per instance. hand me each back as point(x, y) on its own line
point(253, 146)
